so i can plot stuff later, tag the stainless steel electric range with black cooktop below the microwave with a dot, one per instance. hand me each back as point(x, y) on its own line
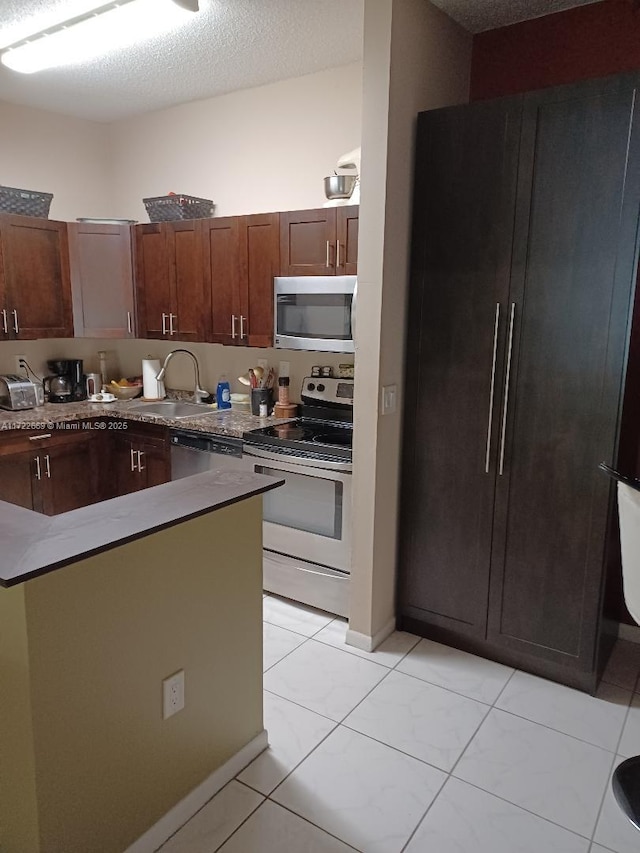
point(307, 522)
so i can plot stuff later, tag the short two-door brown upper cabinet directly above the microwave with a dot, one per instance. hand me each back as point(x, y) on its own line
point(323, 241)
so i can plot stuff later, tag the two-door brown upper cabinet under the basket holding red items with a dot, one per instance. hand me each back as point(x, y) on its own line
point(172, 299)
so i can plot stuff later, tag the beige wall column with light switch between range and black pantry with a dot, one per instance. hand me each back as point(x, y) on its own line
point(415, 58)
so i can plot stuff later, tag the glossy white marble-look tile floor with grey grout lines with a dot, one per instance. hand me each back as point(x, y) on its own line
point(419, 748)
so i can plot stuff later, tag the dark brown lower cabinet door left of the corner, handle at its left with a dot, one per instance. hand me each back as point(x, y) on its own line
point(69, 473)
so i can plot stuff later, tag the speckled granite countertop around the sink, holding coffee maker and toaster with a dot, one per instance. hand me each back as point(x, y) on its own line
point(227, 422)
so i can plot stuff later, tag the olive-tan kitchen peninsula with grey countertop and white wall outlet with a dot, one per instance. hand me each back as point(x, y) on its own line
point(98, 607)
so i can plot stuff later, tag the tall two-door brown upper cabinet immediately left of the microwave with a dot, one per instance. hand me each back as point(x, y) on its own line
point(241, 258)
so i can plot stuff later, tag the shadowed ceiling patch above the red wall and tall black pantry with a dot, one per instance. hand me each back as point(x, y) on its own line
point(479, 15)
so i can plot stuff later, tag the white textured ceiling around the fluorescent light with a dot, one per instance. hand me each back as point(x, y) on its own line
point(229, 45)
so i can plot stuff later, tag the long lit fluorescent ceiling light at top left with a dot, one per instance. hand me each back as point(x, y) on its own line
point(111, 27)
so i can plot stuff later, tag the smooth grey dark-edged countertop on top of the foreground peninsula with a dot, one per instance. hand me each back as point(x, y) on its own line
point(35, 544)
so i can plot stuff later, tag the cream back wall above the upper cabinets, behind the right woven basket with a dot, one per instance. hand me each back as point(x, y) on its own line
point(253, 151)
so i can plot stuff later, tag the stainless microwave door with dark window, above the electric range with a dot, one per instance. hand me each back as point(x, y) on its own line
point(315, 315)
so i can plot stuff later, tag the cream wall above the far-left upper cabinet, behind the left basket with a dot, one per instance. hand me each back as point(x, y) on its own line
point(68, 157)
